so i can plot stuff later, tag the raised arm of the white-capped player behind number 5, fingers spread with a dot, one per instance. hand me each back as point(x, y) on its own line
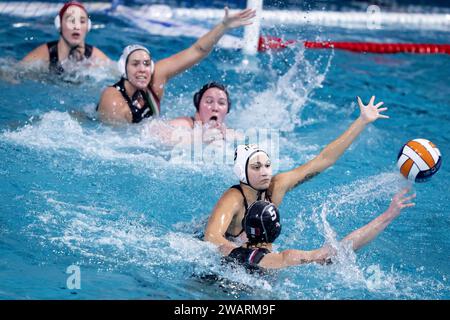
point(330, 154)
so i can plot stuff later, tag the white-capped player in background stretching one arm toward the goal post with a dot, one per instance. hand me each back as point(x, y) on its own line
point(138, 94)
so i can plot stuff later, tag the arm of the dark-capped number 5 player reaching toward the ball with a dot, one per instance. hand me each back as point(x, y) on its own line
point(358, 238)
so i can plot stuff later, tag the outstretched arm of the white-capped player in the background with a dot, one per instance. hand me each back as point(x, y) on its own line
point(169, 67)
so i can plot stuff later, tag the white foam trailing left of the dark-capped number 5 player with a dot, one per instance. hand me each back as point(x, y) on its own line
point(110, 239)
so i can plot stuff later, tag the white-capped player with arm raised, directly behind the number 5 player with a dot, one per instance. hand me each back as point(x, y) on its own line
point(254, 170)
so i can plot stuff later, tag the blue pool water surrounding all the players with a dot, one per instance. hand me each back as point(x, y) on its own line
point(110, 200)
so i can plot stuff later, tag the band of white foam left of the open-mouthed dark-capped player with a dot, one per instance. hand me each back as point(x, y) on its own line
point(139, 146)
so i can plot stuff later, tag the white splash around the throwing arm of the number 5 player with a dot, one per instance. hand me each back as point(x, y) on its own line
point(345, 262)
